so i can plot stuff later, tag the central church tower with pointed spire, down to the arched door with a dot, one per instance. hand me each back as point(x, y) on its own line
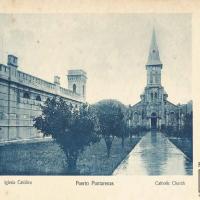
point(154, 95)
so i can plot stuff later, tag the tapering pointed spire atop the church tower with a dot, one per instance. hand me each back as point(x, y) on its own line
point(154, 58)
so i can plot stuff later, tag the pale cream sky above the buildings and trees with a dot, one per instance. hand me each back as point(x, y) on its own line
point(112, 49)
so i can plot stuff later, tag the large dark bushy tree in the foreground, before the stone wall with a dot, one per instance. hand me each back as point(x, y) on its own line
point(72, 128)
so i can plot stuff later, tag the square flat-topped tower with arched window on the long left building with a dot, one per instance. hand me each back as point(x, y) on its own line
point(77, 81)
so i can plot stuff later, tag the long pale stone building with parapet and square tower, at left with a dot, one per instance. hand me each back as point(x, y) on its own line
point(22, 94)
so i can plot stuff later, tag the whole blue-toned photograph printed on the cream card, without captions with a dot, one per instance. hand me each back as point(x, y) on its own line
point(96, 94)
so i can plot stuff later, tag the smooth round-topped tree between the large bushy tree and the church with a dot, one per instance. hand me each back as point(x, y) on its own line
point(111, 121)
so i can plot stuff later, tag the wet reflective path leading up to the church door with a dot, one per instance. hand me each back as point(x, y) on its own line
point(155, 155)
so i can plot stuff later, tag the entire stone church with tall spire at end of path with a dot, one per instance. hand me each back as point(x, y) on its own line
point(155, 111)
